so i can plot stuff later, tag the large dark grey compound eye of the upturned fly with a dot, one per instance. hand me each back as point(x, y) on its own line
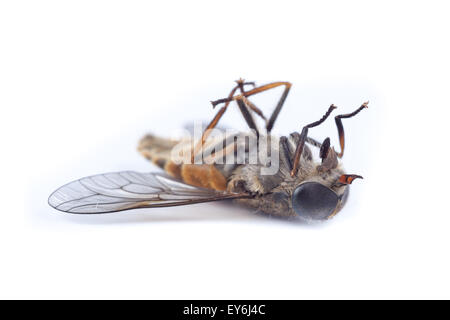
point(314, 201)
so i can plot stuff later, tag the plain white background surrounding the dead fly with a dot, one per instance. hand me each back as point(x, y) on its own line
point(82, 81)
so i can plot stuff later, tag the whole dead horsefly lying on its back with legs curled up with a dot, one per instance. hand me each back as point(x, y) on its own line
point(274, 175)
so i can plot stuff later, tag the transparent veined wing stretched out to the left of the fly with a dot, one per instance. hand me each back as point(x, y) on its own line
point(126, 190)
